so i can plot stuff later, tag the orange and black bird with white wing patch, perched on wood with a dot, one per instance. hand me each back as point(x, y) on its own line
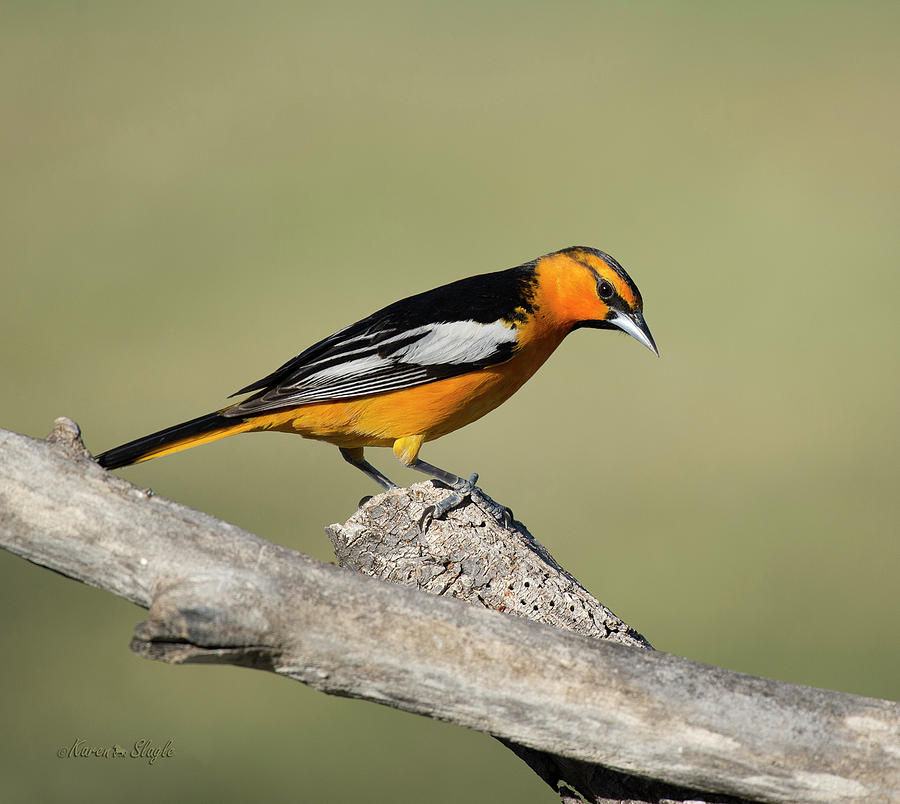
point(424, 366)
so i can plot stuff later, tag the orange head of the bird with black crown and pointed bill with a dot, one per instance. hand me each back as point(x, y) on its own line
point(586, 287)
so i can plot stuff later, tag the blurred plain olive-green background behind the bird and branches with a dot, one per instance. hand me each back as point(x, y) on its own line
point(192, 193)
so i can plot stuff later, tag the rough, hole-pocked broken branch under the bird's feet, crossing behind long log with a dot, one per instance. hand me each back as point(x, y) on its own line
point(469, 556)
